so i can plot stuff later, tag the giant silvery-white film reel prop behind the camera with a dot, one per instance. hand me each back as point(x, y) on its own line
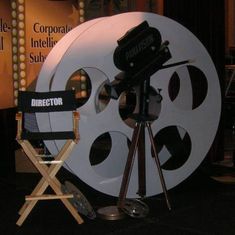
point(186, 117)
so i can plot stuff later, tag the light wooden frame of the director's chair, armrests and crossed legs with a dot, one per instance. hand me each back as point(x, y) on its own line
point(48, 171)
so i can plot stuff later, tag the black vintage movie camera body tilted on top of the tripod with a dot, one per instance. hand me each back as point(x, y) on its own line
point(140, 53)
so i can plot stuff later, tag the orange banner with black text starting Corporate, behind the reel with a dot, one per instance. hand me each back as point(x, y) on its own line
point(45, 23)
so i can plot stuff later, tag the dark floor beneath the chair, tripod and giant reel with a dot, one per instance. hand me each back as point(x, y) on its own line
point(201, 205)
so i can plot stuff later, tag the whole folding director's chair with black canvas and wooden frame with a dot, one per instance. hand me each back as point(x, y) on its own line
point(56, 101)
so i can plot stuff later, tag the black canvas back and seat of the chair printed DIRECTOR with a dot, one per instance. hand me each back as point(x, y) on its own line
point(30, 103)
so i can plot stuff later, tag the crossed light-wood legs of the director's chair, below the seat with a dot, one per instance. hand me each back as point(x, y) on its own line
point(48, 179)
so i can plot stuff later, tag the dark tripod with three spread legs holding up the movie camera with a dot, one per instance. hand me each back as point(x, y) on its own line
point(143, 120)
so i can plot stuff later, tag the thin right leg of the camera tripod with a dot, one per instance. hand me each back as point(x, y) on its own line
point(158, 165)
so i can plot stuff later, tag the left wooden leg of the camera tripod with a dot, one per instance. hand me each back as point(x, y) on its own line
point(129, 165)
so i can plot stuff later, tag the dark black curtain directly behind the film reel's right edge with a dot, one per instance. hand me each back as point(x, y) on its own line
point(206, 20)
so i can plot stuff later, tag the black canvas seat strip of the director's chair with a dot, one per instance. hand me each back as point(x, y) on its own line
point(59, 135)
